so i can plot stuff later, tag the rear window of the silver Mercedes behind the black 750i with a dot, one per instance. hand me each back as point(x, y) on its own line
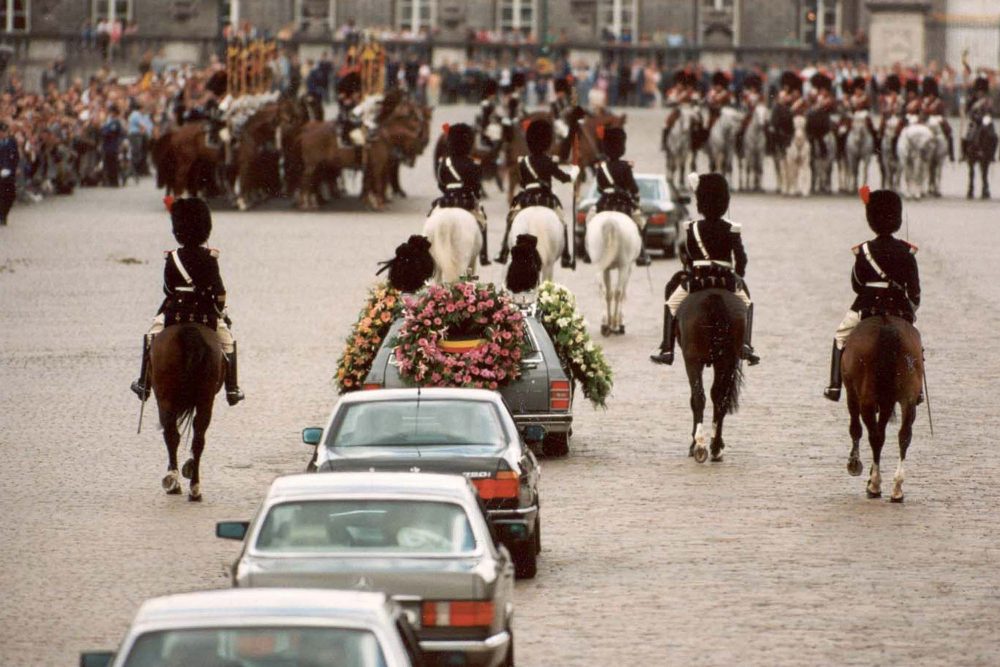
point(345, 526)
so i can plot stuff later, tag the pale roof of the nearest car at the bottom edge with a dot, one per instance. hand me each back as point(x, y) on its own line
point(201, 608)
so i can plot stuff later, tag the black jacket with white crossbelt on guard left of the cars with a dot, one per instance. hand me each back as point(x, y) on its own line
point(192, 297)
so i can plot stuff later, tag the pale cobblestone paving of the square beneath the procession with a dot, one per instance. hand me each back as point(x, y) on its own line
point(774, 557)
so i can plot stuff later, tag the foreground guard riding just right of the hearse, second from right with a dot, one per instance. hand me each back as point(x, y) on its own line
point(713, 257)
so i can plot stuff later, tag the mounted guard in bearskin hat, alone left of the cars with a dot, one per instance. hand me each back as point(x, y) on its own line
point(194, 291)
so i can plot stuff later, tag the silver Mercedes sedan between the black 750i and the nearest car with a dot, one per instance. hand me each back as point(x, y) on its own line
point(420, 538)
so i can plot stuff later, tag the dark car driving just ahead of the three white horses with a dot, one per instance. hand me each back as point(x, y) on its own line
point(664, 208)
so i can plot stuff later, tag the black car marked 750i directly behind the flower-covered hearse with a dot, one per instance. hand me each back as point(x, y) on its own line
point(468, 432)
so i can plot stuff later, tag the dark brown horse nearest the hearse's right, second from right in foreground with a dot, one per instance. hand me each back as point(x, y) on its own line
point(710, 324)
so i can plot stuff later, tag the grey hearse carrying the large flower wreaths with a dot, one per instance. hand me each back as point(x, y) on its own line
point(543, 395)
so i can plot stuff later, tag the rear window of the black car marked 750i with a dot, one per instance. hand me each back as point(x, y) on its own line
point(417, 423)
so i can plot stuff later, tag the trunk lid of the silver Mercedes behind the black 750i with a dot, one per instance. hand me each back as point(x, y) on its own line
point(458, 578)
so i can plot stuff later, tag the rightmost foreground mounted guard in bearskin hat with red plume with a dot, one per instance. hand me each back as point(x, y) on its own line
point(885, 276)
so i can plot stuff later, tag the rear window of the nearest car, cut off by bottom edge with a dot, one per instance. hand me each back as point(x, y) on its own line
point(256, 647)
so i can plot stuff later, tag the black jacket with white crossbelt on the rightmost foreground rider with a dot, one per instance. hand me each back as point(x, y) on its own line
point(885, 278)
